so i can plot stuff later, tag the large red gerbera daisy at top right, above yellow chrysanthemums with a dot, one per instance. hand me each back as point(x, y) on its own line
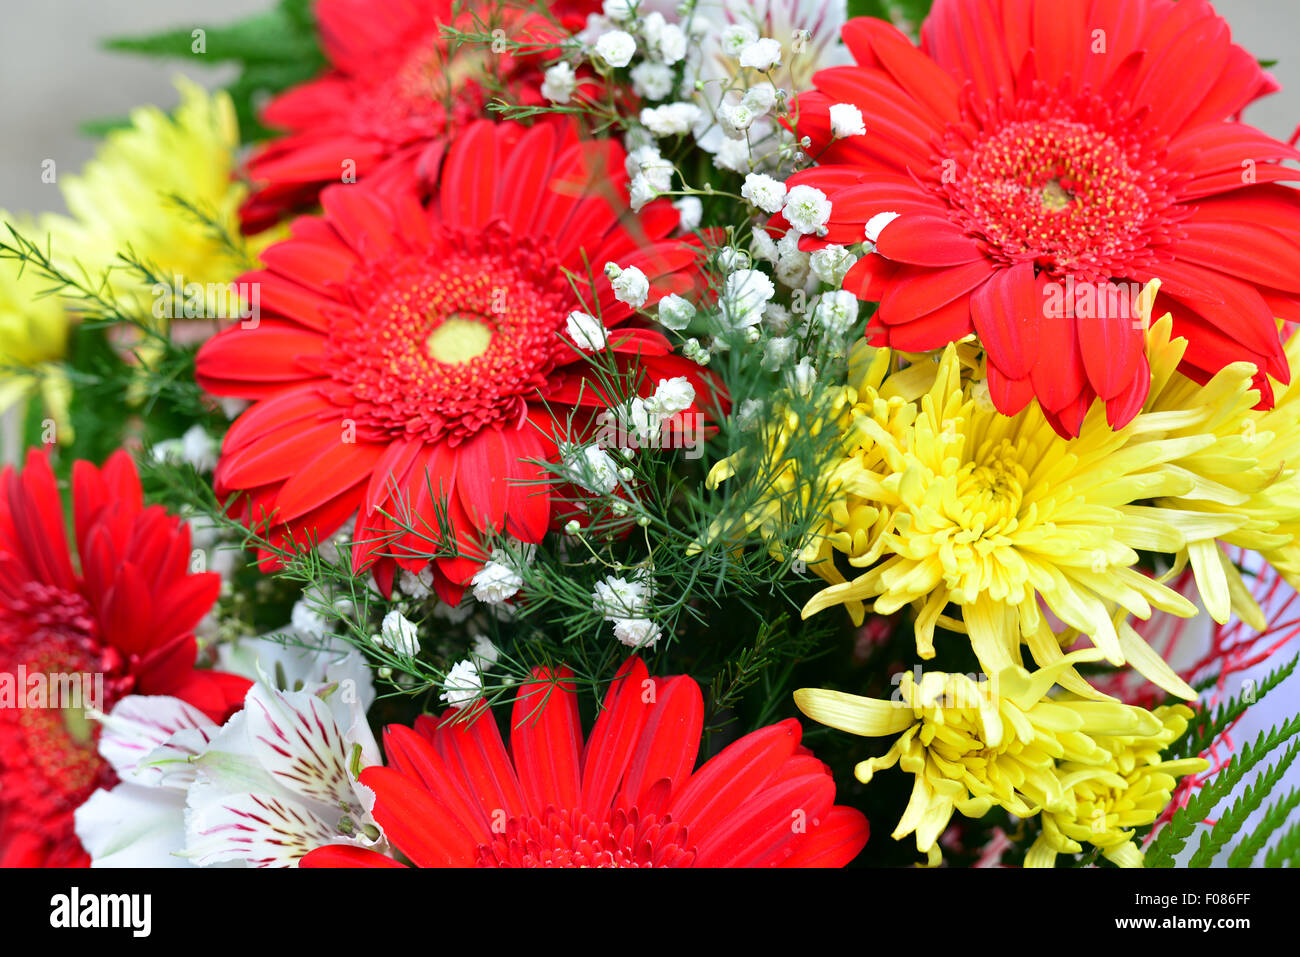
point(1041, 154)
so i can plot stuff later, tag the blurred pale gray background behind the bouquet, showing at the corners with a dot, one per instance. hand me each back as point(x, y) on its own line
point(54, 77)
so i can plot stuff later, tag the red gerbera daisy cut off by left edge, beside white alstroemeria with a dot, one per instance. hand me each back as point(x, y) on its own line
point(128, 616)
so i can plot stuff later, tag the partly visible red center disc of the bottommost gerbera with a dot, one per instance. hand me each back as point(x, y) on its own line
point(573, 839)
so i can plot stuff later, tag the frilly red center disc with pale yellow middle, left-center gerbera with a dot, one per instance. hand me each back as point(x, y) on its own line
point(450, 340)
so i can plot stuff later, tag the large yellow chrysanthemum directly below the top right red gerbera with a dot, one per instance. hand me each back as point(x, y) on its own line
point(944, 501)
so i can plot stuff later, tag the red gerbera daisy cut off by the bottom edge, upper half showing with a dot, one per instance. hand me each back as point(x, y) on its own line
point(452, 795)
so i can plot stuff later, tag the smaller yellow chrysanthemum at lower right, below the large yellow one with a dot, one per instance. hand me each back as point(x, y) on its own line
point(977, 744)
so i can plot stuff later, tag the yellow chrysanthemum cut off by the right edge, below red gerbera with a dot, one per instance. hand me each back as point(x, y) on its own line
point(1249, 479)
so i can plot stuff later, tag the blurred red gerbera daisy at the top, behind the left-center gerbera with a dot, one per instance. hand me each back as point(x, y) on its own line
point(396, 97)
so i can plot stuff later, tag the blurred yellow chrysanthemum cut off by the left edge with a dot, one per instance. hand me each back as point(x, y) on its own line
point(33, 336)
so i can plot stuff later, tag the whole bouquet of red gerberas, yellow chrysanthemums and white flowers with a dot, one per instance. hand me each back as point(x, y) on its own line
point(720, 434)
